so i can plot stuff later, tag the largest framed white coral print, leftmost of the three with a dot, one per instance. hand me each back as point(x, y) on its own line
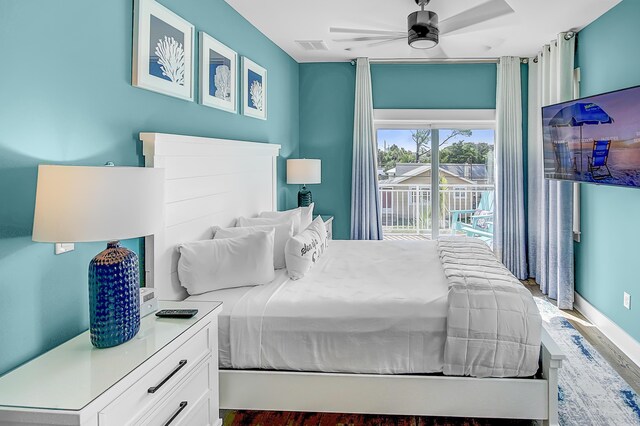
point(162, 50)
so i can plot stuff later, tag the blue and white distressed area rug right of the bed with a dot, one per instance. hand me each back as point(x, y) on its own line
point(591, 392)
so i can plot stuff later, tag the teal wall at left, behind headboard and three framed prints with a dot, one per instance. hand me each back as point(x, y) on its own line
point(66, 98)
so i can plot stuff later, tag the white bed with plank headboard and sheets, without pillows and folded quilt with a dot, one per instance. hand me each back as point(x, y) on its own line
point(207, 182)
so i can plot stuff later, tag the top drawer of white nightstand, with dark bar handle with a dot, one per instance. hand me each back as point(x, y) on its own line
point(159, 382)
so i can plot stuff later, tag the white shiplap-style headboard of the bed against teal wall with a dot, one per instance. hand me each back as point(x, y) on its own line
point(207, 182)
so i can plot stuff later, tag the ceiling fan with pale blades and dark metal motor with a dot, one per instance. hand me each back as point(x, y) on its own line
point(424, 30)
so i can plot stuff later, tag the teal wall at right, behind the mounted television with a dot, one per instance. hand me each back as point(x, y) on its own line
point(607, 256)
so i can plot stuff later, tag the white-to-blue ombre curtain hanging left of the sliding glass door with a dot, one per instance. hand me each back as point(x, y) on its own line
point(365, 203)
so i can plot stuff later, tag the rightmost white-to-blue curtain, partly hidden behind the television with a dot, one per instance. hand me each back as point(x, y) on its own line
point(550, 208)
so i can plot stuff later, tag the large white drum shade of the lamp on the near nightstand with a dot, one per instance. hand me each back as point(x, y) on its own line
point(76, 204)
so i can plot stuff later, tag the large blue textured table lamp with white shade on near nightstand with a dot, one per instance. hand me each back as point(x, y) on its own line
point(81, 204)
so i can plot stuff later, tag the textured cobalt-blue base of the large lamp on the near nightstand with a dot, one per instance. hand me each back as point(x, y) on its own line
point(114, 296)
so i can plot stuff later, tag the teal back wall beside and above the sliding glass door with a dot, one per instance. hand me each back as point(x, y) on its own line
point(326, 114)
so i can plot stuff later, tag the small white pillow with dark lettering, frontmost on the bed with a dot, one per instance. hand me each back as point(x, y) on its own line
point(304, 250)
